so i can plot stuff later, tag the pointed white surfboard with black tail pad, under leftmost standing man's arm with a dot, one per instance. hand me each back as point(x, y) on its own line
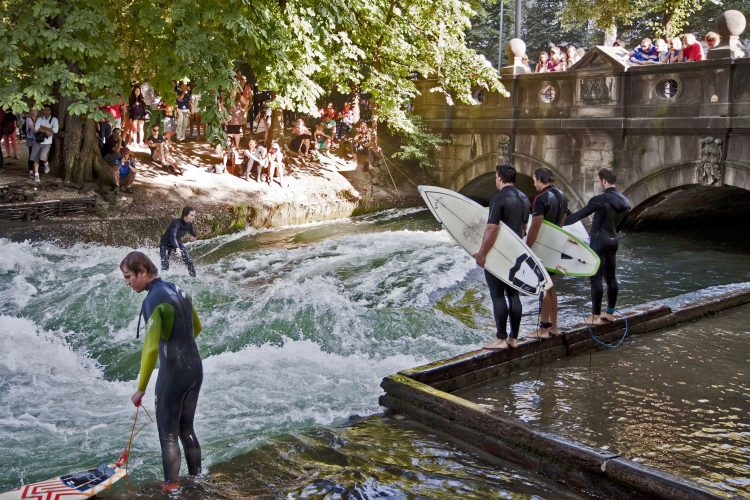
point(509, 259)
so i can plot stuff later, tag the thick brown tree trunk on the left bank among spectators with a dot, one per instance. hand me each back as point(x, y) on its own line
point(77, 155)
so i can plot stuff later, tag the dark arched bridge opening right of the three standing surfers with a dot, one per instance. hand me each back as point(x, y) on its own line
point(693, 206)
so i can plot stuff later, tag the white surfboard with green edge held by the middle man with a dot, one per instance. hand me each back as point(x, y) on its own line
point(563, 252)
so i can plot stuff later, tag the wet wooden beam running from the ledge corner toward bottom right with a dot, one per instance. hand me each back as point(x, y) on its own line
point(549, 453)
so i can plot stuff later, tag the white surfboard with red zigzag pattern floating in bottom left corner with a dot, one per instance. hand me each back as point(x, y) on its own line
point(75, 486)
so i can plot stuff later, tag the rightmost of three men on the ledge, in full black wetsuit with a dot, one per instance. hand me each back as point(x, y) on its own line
point(609, 209)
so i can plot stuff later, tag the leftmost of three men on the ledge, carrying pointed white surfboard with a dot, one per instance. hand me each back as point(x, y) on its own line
point(510, 206)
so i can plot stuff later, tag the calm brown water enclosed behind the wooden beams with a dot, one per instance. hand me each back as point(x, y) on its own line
point(678, 400)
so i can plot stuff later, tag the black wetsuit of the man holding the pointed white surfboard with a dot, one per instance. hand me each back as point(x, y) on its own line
point(510, 206)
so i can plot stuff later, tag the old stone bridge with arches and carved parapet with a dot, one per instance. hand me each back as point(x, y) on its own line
point(678, 136)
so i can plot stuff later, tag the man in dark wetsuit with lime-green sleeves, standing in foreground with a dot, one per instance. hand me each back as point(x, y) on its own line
point(171, 337)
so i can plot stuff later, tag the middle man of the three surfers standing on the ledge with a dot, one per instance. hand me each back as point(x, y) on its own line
point(550, 205)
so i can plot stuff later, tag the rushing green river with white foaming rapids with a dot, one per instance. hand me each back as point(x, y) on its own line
point(300, 326)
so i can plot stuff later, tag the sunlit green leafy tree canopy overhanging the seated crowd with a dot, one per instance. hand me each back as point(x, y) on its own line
point(81, 53)
